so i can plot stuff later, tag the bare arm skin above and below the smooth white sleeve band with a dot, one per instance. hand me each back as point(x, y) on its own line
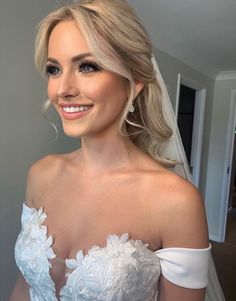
point(183, 225)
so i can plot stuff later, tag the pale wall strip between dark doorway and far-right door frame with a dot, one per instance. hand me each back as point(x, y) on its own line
point(217, 153)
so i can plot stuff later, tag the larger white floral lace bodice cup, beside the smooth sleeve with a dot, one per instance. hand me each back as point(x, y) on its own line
point(123, 270)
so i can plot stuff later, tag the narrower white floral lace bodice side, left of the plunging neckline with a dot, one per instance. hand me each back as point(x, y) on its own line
point(32, 252)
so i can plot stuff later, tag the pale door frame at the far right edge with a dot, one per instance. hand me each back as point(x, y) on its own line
point(228, 165)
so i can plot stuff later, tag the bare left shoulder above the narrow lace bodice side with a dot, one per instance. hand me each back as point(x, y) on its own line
point(40, 175)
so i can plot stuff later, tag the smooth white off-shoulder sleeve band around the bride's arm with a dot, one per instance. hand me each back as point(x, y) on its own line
point(184, 266)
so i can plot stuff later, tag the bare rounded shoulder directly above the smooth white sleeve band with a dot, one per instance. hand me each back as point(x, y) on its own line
point(180, 208)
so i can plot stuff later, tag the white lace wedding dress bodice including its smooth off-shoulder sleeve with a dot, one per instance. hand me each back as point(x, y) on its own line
point(123, 270)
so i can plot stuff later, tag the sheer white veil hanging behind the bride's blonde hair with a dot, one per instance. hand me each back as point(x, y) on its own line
point(175, 150)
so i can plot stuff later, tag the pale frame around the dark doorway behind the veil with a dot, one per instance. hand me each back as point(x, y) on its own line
point(198, 122)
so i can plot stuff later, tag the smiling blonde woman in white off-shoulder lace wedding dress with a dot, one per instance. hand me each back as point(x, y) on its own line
point(109, 221)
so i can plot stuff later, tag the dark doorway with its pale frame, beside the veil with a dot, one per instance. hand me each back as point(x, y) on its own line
point(189, 112)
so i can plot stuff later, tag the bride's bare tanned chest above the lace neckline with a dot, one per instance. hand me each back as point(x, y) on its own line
point(82, 214)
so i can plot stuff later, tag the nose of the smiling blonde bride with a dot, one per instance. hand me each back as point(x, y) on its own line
point(68, 86)
